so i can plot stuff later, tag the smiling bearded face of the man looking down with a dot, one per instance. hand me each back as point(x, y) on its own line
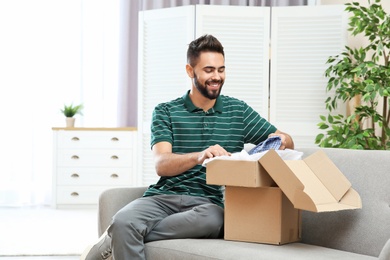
point(209, 74)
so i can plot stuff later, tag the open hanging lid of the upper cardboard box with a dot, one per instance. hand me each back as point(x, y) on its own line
point(305, 189)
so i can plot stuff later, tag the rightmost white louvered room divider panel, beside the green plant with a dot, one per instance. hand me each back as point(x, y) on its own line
point(302, 40)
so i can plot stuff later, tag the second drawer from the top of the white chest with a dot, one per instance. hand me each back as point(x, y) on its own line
point(95, 158)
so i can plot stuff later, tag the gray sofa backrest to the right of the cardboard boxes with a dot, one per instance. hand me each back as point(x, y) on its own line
point(361, 231)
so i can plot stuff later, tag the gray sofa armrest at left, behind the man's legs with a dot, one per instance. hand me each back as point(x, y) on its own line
point(112, 200)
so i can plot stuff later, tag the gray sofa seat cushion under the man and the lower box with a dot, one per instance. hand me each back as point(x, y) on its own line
point(198, 249)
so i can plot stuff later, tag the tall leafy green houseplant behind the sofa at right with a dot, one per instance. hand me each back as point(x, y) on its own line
point(361, 75)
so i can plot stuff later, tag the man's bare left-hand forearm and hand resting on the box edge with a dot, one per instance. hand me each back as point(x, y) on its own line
point(171, 164)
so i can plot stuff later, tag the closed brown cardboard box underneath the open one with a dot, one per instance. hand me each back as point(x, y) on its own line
point(262, 215)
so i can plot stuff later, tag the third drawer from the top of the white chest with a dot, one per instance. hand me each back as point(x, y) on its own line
point(93, 176)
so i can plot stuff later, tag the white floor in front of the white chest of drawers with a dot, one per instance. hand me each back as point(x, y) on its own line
point(45, 233)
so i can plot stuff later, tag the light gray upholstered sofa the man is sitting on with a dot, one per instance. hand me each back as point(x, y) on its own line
point(351, 234)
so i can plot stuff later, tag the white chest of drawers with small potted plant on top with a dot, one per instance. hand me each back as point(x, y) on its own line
point(87, 161)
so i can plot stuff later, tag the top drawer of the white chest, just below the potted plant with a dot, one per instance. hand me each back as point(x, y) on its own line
point(95, 139)
